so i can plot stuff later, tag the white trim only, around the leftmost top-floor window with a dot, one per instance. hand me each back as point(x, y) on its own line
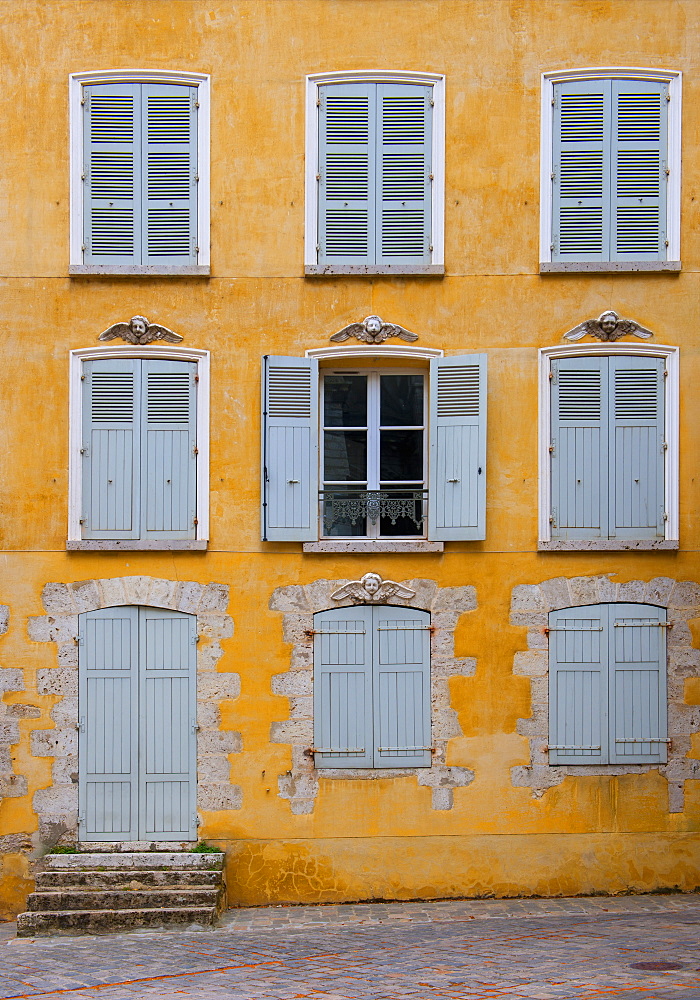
point(76, 83)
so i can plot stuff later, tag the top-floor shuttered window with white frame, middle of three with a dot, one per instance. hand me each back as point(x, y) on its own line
point(375, 173)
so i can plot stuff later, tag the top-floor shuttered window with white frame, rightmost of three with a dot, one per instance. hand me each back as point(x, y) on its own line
point(611, 170)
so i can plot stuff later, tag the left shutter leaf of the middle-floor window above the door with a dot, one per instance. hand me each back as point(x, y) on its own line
point(111, 446)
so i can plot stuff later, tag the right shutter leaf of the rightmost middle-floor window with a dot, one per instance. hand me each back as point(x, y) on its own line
point(636, 388)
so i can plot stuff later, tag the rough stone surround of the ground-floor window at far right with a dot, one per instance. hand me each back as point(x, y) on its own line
point(530, 606)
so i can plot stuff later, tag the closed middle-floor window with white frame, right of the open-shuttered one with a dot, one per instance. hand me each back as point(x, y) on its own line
point(609, 434)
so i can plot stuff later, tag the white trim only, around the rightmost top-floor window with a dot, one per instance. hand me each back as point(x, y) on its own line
point(673, 201)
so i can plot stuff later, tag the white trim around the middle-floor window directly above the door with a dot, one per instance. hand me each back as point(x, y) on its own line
point(75, 486)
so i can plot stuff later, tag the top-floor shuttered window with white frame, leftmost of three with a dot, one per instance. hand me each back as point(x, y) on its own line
point(139, 190)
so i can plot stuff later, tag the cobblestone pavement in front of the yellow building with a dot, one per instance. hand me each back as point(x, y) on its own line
point(459, 950)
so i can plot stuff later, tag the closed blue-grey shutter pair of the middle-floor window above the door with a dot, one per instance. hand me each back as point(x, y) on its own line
point(139, 449)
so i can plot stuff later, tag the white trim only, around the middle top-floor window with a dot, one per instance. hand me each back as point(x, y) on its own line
point(434, 80)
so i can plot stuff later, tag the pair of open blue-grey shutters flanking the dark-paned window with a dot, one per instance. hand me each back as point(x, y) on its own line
point(457, 449)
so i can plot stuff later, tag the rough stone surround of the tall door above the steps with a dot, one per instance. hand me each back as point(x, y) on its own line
point(57, 805)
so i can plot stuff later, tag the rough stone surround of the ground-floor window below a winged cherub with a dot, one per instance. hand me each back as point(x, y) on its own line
point(298, 603)
